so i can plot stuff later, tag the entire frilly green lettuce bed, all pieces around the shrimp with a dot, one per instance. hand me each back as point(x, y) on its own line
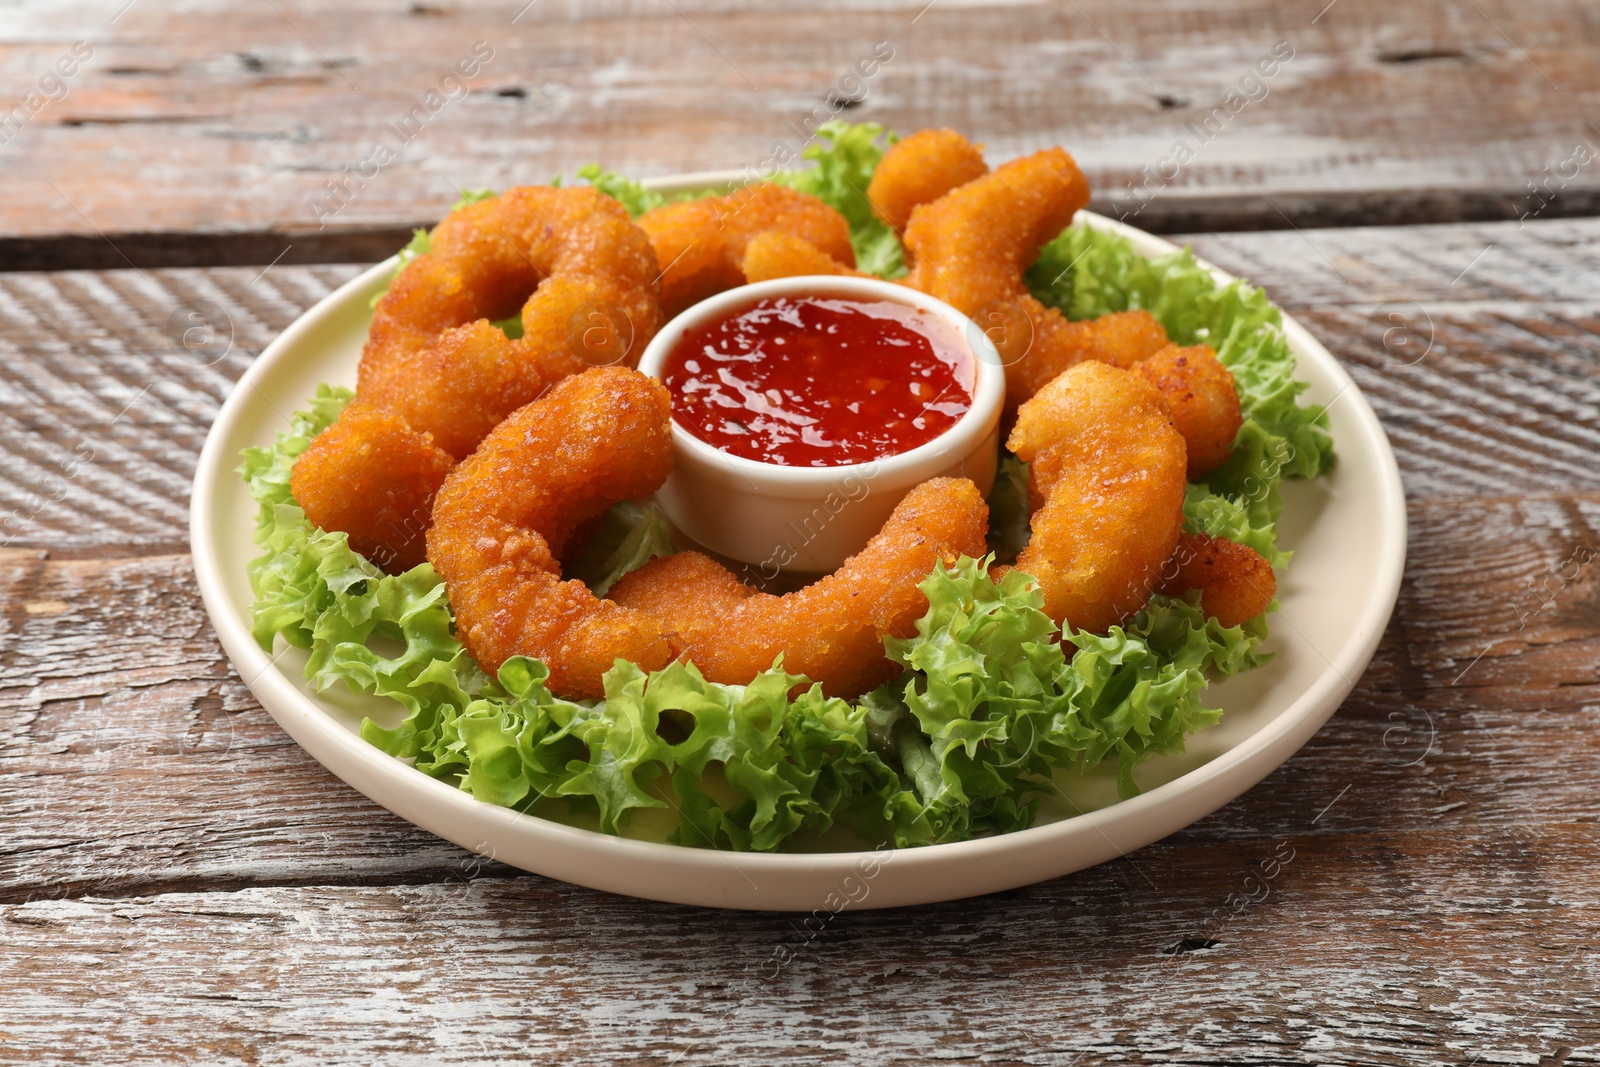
point(991, 708)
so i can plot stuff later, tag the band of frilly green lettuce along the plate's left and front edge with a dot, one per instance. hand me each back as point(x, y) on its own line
point(964, 743)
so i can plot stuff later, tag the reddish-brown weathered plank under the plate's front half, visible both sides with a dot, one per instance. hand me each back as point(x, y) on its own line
point(134, 761)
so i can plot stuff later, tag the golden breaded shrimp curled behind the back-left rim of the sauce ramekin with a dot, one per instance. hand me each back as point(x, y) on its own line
point(700, 244)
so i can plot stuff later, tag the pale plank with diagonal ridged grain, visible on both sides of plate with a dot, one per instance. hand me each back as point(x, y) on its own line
point(103, 410)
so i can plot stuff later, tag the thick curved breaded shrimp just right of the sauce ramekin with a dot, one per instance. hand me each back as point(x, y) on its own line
point(1106, 470)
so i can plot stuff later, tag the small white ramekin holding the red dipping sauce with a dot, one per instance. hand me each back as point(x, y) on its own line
point(812, 519)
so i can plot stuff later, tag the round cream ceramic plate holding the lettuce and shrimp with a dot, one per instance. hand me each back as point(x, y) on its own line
point(1348, 533)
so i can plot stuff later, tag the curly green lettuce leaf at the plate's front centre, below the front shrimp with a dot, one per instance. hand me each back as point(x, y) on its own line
point(750, 767)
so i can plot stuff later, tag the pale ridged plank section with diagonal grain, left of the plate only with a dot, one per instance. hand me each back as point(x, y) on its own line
point(105, 407)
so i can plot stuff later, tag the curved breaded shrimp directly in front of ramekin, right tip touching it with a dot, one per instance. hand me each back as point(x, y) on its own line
point(831, 631)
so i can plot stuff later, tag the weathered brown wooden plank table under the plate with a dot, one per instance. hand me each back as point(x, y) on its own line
point(180, 882)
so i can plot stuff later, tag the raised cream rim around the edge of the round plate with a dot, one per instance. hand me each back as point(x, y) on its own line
point(1138, 821)
